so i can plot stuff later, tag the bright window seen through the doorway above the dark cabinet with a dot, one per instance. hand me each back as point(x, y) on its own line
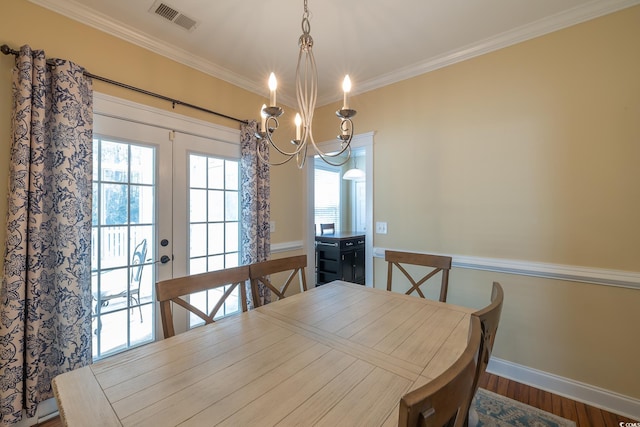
point(327, 195)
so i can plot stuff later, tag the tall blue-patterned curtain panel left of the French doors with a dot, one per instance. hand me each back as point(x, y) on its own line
point(45, 299)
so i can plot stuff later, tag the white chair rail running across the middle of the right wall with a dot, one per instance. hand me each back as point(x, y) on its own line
point(598, 276)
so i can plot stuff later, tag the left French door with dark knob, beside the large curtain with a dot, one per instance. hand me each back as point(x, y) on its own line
point(130, 201)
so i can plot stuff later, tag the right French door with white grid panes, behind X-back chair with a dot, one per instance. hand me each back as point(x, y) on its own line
point(208, 230)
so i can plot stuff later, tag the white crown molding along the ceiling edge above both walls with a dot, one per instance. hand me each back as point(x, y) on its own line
point(579, 14)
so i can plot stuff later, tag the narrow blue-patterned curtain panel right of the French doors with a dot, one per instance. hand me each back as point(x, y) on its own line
point(256, 187)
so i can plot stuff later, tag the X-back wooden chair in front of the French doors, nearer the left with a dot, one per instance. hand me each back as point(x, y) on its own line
point(168, 291)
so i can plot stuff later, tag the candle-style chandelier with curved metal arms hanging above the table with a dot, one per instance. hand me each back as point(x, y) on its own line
point(306, 94)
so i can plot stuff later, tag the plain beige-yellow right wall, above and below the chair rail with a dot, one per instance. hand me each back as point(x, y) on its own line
point(529, 153)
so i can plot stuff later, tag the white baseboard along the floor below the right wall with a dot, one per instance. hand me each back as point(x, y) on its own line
point(581, 392)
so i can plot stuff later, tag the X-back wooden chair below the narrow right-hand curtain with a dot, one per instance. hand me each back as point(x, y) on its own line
point(260, 272)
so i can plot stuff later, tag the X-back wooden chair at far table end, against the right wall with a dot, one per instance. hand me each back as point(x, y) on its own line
point(438, 263)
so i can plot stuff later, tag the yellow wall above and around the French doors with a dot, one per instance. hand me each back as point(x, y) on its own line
point(24, 23)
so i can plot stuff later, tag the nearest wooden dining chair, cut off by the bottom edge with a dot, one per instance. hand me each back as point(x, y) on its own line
point(443, 401)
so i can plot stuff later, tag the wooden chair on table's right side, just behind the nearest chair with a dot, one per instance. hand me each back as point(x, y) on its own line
point(489, 319)
